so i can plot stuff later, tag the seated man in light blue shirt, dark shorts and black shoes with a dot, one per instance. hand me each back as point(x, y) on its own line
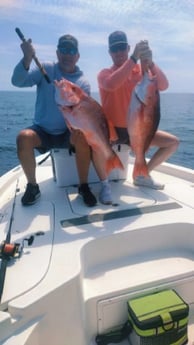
point(49, 129)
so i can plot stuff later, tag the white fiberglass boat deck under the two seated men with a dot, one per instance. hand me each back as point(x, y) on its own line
point(72, 269)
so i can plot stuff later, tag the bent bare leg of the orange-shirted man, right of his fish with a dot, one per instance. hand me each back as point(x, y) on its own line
point(167, 144)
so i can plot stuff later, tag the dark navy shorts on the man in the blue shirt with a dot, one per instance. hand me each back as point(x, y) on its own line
point(50, 141)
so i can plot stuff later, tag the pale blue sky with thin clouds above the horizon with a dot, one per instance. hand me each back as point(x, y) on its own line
point(168, 25)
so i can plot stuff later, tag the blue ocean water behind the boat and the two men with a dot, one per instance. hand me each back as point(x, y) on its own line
point(17, 107)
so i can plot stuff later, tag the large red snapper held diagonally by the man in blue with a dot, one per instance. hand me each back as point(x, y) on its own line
point(82, 112)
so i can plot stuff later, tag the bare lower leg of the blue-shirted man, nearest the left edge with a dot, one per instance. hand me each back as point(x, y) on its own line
point(27, 140)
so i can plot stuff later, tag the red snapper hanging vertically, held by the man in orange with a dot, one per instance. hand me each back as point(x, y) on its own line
point(142, 120)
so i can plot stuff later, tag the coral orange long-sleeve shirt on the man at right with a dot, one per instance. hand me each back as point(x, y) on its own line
point(116, 85)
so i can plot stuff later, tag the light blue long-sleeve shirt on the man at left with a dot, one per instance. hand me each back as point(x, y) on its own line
point(47, 114)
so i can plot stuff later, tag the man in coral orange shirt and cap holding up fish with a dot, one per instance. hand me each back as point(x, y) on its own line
point(116, 84)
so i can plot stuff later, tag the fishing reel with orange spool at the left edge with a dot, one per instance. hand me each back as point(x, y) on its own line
point(14, 250)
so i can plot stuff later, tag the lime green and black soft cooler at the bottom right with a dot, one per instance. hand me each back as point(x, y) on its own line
point(158, 319)
